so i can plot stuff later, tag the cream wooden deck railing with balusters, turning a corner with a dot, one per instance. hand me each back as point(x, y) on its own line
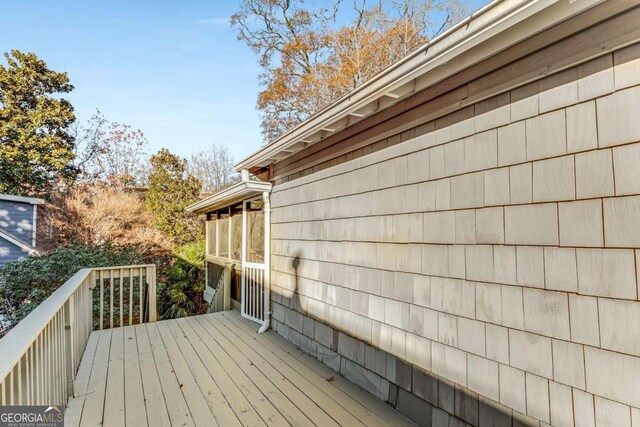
point(40, 356)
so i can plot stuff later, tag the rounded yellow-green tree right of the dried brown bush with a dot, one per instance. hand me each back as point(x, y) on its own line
point(171, 190)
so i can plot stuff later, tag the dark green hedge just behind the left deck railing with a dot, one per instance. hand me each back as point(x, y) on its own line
point(26, 283)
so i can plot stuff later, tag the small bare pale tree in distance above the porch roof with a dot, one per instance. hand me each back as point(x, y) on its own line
point(214, 167)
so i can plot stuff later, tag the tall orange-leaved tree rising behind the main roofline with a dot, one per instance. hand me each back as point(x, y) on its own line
point(310, 59)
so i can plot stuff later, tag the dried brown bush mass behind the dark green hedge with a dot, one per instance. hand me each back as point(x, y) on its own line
point(94, 215)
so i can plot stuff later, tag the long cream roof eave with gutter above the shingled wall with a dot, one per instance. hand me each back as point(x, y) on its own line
point(473, 40)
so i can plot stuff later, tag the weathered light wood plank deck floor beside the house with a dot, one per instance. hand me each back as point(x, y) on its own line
point(213, 370)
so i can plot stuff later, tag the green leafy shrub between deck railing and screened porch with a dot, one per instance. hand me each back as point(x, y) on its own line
point(182, 282)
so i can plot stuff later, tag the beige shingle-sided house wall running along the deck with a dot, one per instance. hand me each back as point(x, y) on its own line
point(484, 272)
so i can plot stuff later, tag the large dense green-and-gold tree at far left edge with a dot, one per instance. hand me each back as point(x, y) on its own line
point(36, 143)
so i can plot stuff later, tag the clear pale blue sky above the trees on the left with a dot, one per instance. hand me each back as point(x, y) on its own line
point(173, 69)
